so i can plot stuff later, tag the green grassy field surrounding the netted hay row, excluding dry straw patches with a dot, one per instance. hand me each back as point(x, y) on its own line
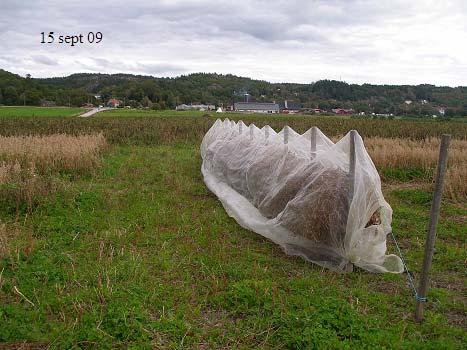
point(140, 253)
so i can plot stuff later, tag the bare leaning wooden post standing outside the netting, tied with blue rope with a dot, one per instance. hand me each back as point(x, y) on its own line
point(431, 234)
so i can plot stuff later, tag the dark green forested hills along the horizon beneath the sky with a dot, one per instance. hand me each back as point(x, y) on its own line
point(218, 89)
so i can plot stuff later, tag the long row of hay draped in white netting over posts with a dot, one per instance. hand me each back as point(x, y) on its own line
point(314, 198)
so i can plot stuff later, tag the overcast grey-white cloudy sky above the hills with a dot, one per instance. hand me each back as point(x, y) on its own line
point(358, 41)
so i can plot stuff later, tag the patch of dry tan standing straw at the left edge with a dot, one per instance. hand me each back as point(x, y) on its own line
point(27, 161)
